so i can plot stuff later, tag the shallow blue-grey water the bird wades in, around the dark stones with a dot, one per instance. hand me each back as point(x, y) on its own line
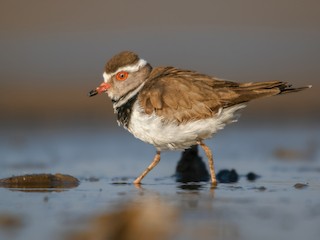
point(107, 160)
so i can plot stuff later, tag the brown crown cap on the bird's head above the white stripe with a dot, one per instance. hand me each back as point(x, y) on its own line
point(120, 60)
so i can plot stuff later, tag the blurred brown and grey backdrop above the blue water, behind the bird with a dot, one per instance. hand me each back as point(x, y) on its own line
point(53, 52)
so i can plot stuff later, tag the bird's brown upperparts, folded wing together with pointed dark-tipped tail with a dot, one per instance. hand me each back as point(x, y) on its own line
point(182, 95)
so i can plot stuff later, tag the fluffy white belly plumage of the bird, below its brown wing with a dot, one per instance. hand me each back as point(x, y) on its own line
point(163, 135)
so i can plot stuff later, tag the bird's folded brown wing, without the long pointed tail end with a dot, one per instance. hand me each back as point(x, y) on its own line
point(183, 95)
